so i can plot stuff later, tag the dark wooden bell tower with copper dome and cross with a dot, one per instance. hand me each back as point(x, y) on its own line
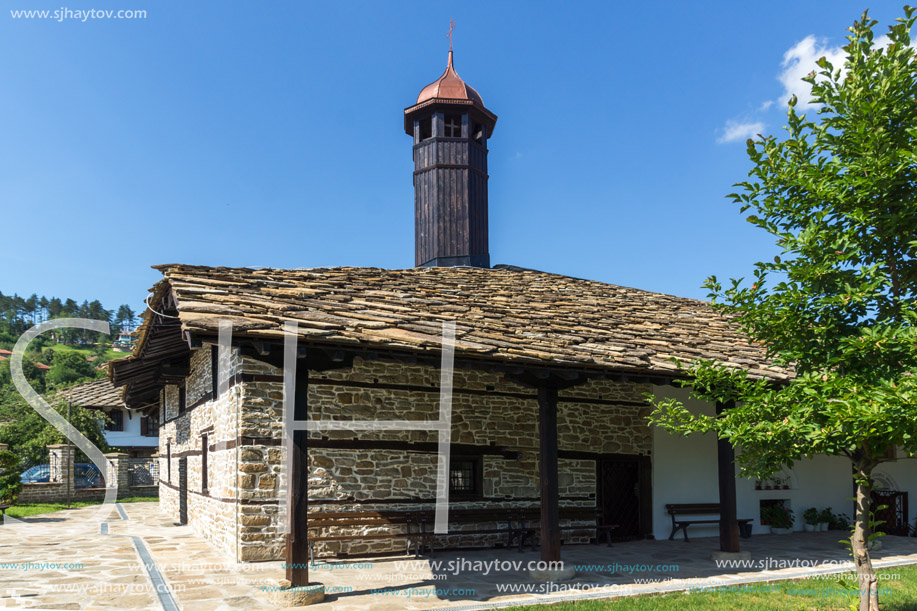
point(450, 127)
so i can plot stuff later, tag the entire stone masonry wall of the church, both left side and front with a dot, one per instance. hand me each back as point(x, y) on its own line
point(488, 411)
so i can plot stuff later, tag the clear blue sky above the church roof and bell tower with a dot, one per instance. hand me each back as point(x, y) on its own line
point(270, 134)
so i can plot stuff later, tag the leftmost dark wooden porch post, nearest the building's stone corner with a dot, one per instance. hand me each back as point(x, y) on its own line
point(298, 539)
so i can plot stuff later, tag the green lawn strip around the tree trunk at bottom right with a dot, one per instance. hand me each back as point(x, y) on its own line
point(825, 593)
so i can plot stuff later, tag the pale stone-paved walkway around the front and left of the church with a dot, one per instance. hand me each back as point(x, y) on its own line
point(112, 575)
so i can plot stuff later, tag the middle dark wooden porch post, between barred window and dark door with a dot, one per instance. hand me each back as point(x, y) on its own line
point(550, 509)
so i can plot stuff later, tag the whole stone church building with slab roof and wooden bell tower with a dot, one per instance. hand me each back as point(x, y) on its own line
point(549, 391)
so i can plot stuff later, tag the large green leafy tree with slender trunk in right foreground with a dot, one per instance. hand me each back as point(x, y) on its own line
point(839, 194)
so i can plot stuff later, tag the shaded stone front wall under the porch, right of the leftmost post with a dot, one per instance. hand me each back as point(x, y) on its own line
point(488, 410)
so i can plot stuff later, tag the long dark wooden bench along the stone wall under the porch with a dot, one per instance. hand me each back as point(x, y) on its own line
point(520, 526)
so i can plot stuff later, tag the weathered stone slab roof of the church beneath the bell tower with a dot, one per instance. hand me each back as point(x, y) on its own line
point(505, 313)
